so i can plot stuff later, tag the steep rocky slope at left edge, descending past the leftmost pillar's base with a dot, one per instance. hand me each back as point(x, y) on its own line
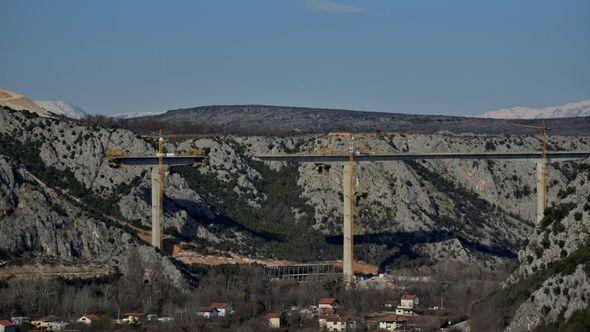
point(37, 219)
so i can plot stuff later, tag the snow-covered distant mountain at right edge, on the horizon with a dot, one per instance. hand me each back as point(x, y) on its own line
point(565, 111)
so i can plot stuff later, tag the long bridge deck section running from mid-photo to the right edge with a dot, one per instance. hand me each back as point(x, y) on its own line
point(425, 156)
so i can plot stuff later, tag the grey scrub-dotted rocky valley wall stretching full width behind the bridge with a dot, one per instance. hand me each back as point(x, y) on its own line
point(476, 212)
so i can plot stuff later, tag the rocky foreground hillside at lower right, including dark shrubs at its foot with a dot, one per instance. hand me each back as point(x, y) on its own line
point(550, 290)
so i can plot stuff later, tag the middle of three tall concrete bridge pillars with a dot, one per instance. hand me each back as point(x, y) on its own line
point(347, 193)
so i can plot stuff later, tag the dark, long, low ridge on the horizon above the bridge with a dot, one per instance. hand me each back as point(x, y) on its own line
point(285, 120)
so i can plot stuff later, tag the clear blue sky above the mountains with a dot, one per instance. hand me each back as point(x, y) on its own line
point(410, 56)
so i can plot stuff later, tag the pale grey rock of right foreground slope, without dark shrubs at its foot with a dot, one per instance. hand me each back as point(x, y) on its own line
point(558, 251)
